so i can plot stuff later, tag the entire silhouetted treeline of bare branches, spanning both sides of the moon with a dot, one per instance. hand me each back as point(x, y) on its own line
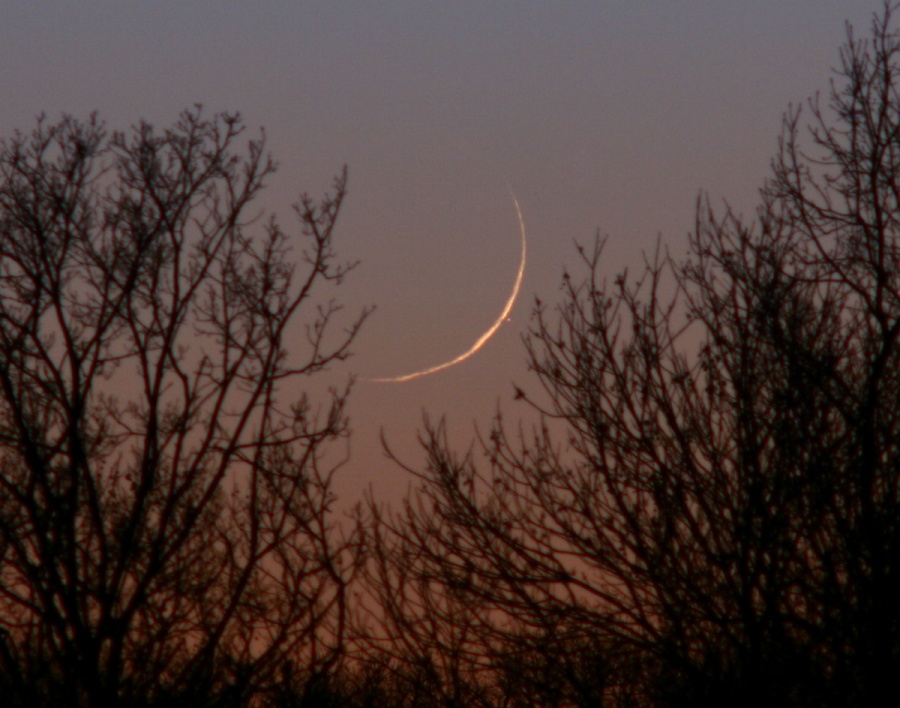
point(708, 512)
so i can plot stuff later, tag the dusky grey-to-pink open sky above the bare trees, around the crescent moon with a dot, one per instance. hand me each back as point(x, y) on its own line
point(599, 115)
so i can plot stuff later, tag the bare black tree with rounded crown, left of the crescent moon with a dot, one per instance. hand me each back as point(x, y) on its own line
point(165, 531)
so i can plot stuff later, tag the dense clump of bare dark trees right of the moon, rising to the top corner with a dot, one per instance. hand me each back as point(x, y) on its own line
point(711, 503)
